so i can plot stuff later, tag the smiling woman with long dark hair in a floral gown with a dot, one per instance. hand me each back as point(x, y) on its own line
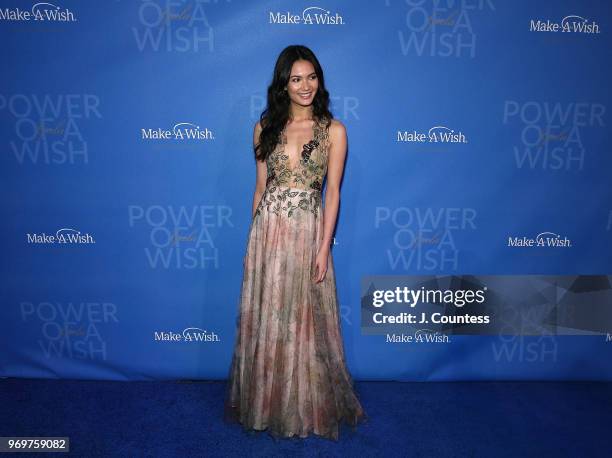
point(288, 373)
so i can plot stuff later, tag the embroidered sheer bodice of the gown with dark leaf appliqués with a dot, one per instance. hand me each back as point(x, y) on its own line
point(311, 167)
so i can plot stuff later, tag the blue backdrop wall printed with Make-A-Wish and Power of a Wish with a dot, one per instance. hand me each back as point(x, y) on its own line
point(474, 238)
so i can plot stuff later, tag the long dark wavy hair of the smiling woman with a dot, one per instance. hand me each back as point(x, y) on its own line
point(276, 114)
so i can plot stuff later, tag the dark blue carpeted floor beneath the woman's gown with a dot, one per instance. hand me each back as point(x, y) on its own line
point(463, 419)
